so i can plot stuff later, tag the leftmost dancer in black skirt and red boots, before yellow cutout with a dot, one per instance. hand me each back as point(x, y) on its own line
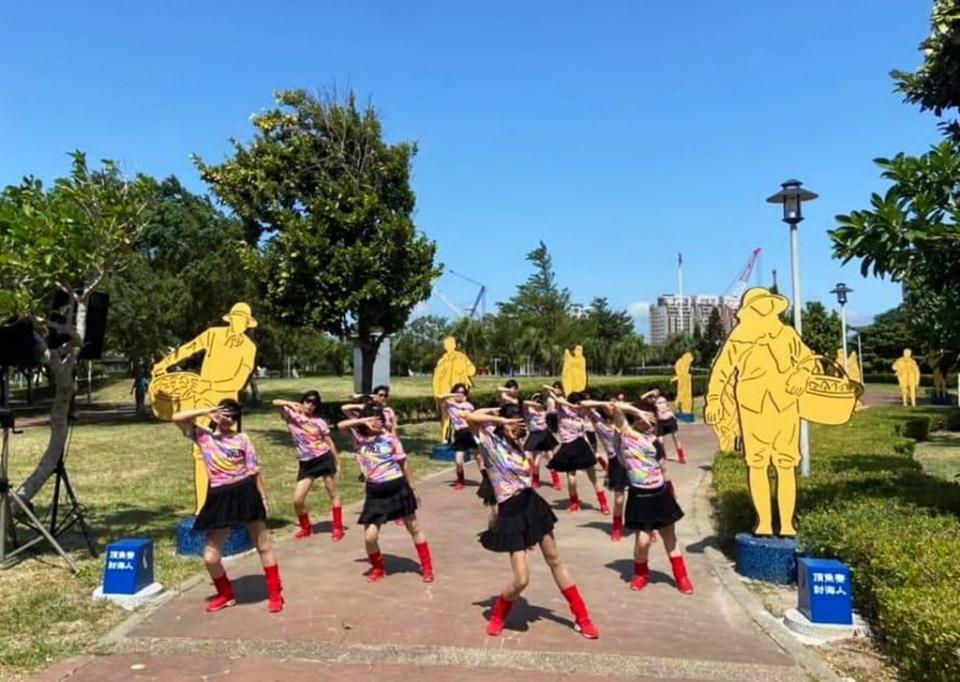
point(236, 496)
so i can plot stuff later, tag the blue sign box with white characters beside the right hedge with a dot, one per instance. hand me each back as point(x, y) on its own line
point(825, 591)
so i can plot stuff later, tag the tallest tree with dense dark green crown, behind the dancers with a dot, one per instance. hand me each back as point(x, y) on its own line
point(327, 207)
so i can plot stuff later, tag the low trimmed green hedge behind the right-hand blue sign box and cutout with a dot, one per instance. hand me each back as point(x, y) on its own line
point(869, 503)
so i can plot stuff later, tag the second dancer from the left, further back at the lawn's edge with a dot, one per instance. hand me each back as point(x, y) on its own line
point(318, 458)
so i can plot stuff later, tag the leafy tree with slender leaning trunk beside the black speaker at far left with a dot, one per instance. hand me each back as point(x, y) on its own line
point(69, 237)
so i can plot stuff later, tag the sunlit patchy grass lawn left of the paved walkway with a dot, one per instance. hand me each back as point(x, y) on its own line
point(135, 478)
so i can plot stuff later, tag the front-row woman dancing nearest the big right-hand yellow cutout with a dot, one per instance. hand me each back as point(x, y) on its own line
point(650, 504)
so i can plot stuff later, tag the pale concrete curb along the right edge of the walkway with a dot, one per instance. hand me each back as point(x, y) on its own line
point(721, 567)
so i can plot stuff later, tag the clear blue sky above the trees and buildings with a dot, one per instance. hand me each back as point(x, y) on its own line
point(619, 132)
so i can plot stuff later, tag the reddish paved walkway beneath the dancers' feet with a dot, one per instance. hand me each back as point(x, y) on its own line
point(336, 624)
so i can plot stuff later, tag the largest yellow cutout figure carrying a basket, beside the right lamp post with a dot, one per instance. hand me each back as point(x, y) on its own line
point(770, 371)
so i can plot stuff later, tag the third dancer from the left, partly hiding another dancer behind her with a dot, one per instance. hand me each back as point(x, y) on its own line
point(390, 490)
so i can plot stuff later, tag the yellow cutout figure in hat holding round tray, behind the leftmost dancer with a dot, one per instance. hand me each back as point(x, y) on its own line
point(229, 358)
